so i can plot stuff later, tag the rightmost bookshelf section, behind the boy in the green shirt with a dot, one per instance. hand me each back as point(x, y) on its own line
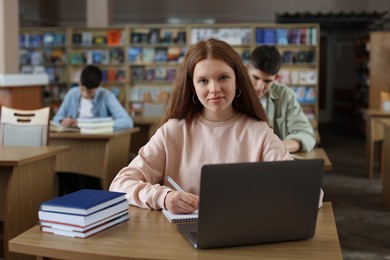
point(299, 46)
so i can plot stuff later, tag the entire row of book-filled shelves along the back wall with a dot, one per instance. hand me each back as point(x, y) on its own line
point(146, 57)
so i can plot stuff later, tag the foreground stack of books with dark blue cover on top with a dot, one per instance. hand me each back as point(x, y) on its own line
point(83, 213)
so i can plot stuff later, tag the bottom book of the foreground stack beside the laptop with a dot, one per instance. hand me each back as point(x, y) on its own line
point(86, 232)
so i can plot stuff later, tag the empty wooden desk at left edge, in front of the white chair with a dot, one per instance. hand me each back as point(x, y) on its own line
point(26, 179)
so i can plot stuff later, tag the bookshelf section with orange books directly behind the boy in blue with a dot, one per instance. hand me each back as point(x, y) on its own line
point(104, 47)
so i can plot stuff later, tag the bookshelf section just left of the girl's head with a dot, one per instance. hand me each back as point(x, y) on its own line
point(154, 53)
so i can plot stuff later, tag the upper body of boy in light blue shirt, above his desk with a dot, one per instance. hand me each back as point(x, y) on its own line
point(91, 100)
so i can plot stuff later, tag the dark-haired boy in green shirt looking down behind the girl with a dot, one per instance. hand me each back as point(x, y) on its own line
point(285, 114)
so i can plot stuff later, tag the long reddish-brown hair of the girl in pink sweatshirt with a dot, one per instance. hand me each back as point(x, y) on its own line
point(181, 105)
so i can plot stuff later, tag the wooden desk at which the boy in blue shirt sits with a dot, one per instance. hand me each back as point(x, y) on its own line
point(97, 155)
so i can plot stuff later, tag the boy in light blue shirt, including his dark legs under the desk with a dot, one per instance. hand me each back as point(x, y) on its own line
point(88, 100)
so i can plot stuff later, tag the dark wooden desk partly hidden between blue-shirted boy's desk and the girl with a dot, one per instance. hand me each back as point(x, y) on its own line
point(148, 126)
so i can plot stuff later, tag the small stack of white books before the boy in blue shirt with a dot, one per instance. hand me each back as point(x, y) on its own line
point(95, 125)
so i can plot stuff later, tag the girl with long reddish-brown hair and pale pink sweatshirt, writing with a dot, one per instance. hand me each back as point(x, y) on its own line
point(213, 116)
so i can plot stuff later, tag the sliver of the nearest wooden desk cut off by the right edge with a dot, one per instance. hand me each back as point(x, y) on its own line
point(386, 163)
